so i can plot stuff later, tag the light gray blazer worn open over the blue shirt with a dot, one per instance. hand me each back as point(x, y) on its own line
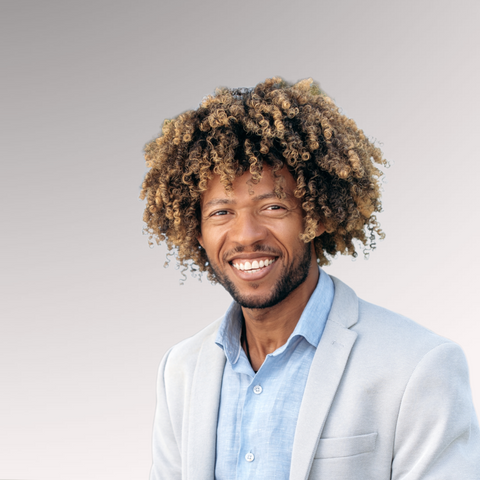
point(385, 399)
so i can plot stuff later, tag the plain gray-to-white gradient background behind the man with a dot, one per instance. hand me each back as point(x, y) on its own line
point(87, 308)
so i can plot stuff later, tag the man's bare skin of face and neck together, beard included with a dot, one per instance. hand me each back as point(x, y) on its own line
point(251, 223)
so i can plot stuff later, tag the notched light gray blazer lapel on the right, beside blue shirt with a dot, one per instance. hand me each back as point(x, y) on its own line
point(325, 374)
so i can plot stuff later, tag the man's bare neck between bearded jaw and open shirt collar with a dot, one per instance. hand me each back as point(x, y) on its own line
point(269, 328)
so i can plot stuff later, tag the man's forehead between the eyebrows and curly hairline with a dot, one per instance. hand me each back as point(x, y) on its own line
point(243, 187)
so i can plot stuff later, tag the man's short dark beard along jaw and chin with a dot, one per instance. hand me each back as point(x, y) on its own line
point(293, 276)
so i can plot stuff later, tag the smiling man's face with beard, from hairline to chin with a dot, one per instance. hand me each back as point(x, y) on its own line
point(251, 238)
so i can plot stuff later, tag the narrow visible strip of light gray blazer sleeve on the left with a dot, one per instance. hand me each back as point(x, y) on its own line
point(167, 462)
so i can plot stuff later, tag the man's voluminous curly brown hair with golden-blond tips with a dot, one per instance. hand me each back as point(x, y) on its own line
point(240, 130)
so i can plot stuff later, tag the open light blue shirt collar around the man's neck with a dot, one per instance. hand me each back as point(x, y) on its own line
point(310, 325)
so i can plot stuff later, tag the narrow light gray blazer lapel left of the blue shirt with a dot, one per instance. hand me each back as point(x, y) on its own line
point(204, 404)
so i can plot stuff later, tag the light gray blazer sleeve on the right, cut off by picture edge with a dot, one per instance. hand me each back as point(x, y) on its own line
point(437, 434)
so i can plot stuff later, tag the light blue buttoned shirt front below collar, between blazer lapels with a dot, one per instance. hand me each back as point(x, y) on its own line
point(258, 415)
